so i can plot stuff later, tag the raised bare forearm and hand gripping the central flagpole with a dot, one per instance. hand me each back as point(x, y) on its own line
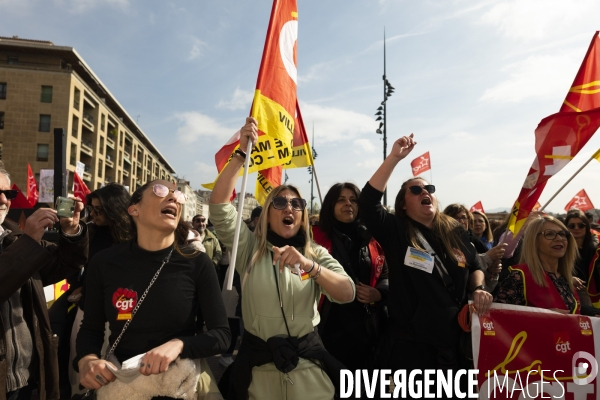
point(226, 181)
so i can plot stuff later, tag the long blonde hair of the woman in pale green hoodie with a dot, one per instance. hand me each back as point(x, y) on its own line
point(263, 226)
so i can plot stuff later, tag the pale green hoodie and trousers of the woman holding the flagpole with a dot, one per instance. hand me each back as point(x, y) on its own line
point(262, 314)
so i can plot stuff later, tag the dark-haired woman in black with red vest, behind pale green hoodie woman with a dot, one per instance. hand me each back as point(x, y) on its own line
point(348, 326)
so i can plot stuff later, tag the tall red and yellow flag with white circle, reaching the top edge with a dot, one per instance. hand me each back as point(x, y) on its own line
point(274, 102)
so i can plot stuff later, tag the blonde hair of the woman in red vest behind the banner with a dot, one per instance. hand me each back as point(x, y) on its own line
point(530, 254)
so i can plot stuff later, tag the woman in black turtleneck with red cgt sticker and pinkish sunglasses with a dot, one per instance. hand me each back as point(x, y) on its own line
point(173, 282)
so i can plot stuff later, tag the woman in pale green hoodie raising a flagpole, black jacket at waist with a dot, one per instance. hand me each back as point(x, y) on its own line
point(283, 275)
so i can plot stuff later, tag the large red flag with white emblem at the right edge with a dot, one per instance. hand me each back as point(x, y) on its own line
point(559, 137)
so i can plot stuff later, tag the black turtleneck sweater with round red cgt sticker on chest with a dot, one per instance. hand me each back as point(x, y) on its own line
point(117, 278)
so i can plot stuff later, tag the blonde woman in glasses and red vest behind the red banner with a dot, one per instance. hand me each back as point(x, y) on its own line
point(544, 277)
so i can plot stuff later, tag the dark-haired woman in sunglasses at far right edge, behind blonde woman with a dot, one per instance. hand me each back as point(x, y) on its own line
point(587, 243)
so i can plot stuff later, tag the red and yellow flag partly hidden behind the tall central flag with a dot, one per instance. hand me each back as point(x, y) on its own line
point(301, 157)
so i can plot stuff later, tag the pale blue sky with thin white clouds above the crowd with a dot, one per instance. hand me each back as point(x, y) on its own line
point(473, 79)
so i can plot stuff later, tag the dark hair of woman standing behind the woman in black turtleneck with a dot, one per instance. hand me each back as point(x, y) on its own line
point(114, 200)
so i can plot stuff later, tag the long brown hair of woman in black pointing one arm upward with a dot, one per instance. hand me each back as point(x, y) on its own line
point(443, 225)
